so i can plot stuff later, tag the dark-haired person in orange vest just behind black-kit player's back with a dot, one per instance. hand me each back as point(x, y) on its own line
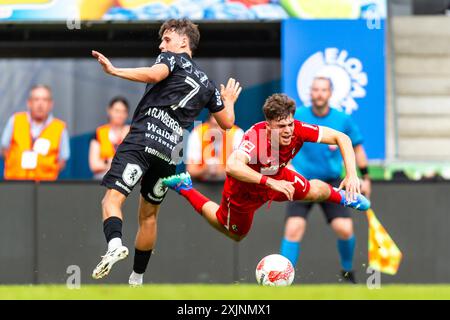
point(108, 137)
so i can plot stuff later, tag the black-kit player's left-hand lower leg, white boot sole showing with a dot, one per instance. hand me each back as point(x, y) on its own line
point(112, 226)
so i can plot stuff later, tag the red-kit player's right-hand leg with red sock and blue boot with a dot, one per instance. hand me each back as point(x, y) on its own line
point(321, 191)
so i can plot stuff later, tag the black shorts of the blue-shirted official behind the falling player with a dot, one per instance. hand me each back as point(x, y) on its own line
point(330, 210)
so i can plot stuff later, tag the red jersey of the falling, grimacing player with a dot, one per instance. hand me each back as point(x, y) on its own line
point(268, 158)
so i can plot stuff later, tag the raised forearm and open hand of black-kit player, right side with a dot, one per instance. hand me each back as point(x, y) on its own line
point(229, 95)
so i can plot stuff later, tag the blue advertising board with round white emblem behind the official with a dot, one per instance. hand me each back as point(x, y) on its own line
point(352, 54)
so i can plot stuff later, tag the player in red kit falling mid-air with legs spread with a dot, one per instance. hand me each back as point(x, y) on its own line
point(257, 172)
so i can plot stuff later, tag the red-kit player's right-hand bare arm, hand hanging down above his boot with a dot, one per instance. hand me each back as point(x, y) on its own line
point(351, 182)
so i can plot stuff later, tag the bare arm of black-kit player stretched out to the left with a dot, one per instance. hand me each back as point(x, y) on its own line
point(152, 74)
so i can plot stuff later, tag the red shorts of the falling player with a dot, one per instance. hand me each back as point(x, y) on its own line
point(240, 200)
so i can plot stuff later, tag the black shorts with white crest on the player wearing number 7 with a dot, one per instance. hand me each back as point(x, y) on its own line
point(130, 165)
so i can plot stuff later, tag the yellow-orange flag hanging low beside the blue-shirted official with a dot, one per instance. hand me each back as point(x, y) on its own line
point(384, 254)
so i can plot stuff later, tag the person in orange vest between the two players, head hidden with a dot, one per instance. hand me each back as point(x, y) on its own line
point(208, 148)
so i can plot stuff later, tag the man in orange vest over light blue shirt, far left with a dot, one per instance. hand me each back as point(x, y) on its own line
point(35, 145)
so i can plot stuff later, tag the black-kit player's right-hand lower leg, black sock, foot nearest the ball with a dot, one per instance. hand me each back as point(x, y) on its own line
point(145, 240)
